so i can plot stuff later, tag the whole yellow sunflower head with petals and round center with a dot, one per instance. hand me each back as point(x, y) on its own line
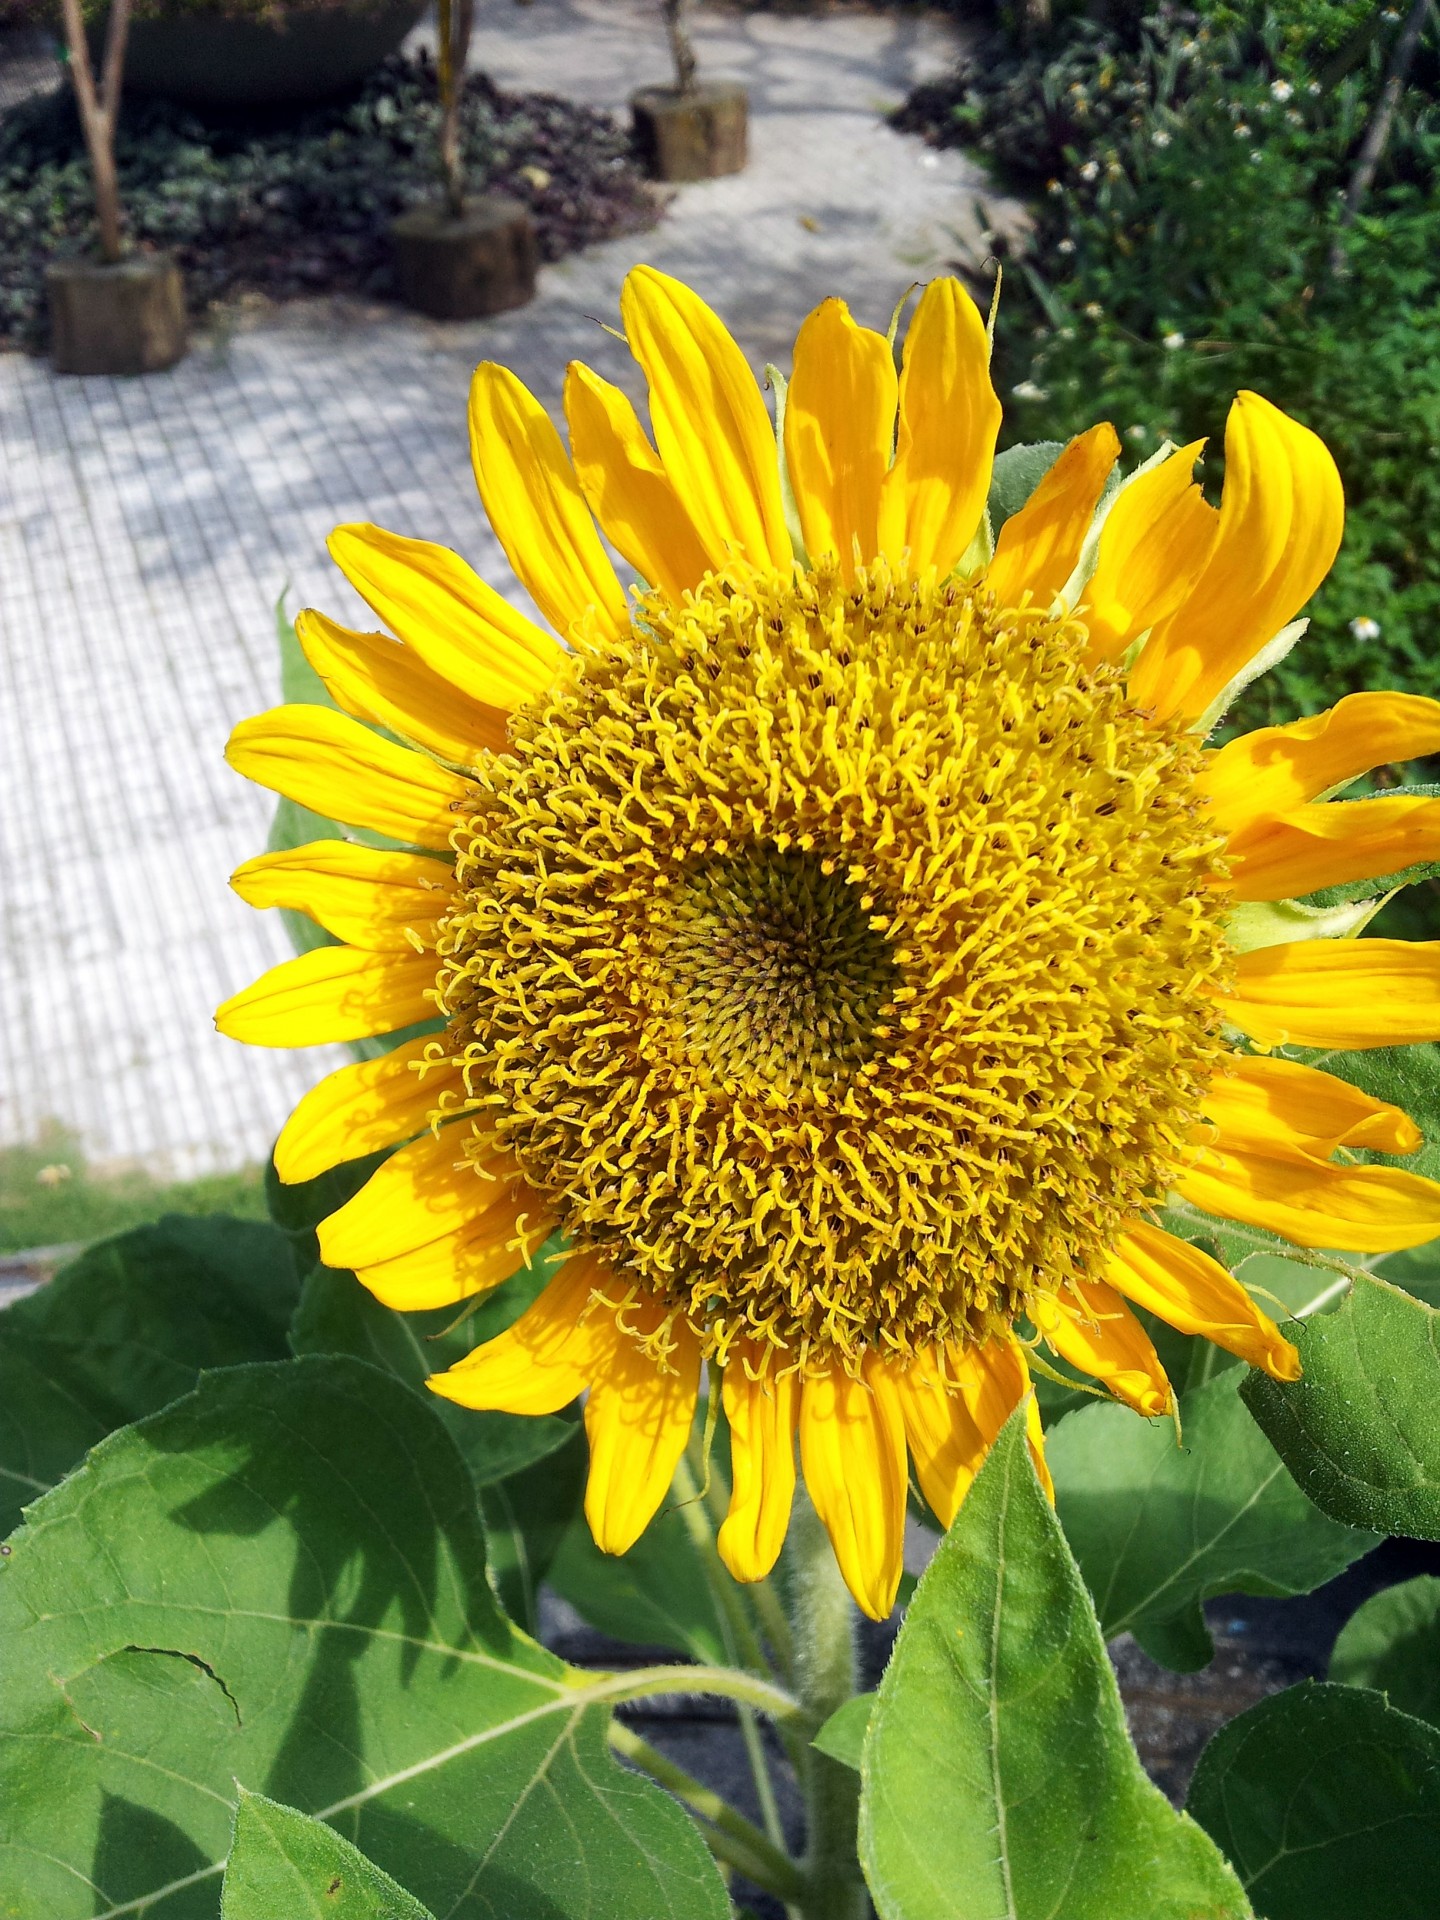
point(844, 938)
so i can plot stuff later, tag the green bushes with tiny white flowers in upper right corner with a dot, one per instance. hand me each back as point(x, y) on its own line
point(1189, 176)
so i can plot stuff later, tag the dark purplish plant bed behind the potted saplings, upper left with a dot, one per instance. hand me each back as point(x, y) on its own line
point(300, 204)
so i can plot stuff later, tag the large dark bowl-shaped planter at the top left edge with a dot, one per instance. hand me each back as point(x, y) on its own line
point(291, 59)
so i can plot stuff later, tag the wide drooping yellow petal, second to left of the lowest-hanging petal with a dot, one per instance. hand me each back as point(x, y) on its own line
point(638, 1420)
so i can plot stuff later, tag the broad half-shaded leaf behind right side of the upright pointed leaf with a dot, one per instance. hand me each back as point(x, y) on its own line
point(1159, 1525)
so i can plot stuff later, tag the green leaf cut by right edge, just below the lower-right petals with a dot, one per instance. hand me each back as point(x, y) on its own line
point(1360, 1429)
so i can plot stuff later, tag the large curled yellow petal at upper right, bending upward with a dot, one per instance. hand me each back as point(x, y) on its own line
point(1282, 516)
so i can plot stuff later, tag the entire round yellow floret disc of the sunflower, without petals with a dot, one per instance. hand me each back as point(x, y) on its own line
point(838, 961)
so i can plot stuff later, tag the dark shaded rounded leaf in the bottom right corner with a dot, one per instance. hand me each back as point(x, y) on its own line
point(1328, 1804)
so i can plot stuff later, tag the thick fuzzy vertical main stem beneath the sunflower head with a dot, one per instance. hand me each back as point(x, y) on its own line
point(825, 1679)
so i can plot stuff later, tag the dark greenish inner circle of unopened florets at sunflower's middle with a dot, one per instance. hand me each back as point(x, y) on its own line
point(779, 976)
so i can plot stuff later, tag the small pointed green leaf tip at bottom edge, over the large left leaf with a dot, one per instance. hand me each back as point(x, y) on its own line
point(287, 1867)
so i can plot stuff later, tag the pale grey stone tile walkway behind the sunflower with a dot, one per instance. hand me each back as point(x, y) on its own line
point(149, 529)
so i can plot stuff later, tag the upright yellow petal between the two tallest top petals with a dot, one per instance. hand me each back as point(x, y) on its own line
point(840, 431)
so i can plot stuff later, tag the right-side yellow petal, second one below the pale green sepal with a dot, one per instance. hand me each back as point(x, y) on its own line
point(1295, 1113)
